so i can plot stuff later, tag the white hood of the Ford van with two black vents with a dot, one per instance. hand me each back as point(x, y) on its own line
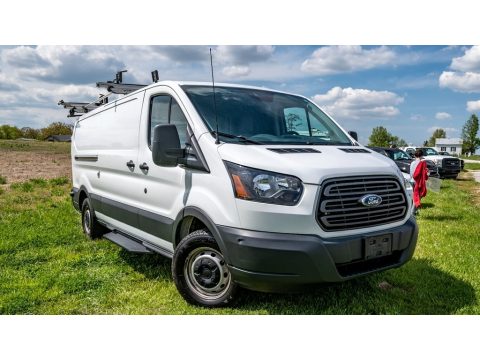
point(310, 167)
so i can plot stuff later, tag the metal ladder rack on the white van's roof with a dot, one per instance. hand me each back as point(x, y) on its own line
point(113, 87)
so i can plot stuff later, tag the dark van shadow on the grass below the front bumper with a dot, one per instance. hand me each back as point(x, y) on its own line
point(416, 288)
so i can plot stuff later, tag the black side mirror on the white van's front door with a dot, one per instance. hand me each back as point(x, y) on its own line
point(166, 150)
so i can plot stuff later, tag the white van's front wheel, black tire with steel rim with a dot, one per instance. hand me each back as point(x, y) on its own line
point(200, 272)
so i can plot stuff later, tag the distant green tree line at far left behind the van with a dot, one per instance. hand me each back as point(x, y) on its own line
point(57, 128)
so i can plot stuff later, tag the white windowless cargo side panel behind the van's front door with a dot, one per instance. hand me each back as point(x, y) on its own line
point(111, 133)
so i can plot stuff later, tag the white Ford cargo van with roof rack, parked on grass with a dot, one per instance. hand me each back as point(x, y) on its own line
point(241, 187)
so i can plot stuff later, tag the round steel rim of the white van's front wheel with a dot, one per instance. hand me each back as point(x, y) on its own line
point(206, 273)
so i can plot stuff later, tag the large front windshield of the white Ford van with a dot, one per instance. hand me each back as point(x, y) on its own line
point(264, 117)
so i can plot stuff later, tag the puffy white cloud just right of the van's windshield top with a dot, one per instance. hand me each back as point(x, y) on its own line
point(351, 103)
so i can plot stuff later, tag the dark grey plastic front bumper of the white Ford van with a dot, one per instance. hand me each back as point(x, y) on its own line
point(275, 262)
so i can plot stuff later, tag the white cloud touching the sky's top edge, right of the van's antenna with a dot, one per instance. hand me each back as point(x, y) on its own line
point(337, 59)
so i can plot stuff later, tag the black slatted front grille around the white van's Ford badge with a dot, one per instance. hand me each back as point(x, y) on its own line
point(340, 207)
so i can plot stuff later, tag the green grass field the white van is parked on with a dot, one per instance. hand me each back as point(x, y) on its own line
point(47, 266)
